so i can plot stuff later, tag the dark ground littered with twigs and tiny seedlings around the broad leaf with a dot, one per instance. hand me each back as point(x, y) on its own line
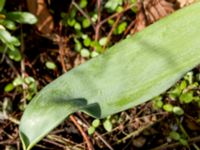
point(66, 44)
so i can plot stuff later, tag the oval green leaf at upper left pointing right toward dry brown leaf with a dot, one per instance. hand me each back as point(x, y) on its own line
point(21, 17)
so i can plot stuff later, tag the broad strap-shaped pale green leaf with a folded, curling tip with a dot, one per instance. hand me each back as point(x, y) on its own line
point(129, 73)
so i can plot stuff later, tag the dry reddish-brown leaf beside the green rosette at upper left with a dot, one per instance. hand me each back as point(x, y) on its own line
point(45, 23)
